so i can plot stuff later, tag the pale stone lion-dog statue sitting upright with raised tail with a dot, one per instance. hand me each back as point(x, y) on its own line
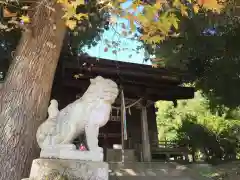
point(86, 114)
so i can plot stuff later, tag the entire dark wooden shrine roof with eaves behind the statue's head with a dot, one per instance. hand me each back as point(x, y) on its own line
point(136, 79)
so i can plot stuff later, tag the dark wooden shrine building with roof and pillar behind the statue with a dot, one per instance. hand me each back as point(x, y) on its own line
point(142, 86)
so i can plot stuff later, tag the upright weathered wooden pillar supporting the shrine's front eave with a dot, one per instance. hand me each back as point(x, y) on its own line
point(145, 135)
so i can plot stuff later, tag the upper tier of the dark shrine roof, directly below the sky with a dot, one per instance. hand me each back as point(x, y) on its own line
point(132, 69)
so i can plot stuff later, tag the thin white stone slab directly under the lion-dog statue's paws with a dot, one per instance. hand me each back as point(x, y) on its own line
point(69, 151)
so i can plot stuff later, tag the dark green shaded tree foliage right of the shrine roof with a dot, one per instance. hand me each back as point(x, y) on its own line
point(207, 48)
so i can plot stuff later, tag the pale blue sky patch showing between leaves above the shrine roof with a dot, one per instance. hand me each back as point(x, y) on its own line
point(127, 44)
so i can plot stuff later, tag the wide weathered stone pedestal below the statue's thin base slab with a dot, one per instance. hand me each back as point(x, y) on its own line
point(53, 169)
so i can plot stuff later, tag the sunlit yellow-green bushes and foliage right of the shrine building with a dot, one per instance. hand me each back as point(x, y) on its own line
point(194, 125)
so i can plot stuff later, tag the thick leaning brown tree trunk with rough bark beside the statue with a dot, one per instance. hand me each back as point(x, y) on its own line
point(26, 91)
